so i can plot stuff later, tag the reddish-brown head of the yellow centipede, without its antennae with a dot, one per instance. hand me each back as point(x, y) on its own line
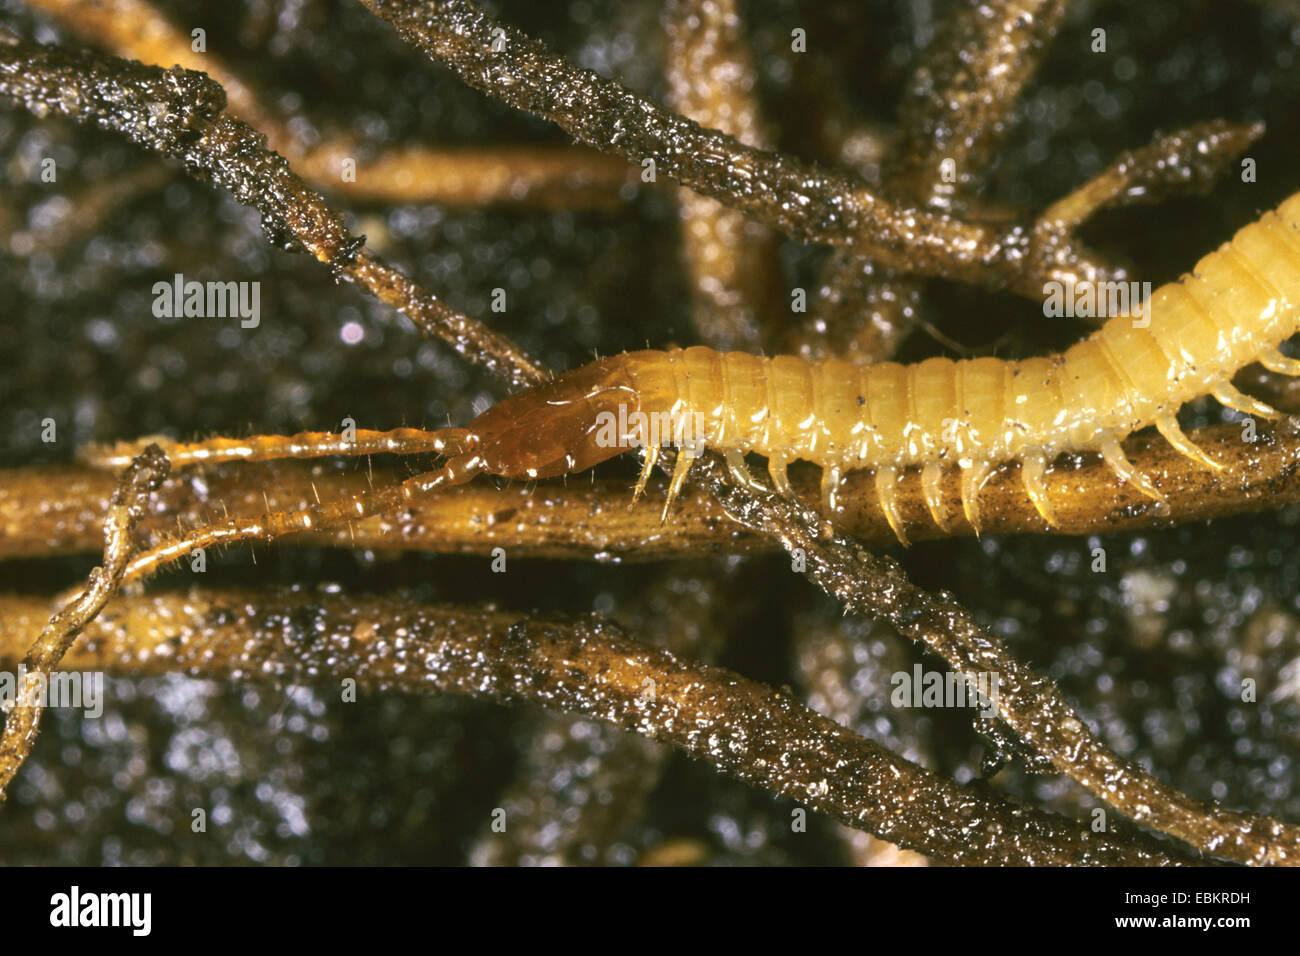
point(566, 426)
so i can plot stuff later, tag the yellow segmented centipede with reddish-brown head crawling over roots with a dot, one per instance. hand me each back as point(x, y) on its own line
point(1236, 308)
